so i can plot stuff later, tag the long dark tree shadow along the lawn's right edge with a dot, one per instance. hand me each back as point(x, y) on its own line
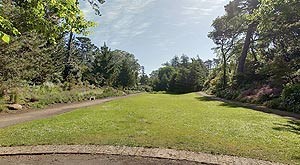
point(236, 104)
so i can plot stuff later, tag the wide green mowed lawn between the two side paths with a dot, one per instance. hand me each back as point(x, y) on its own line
point(185, 122)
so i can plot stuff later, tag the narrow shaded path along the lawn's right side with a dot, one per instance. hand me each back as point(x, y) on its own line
point(290, 115)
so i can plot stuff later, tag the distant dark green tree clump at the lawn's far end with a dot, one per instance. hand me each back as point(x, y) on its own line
point(180, 76)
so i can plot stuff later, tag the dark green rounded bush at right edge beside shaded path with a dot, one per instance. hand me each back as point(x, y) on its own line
point(291, 98)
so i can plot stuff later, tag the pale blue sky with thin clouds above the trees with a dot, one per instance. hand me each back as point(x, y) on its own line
point(156, 30)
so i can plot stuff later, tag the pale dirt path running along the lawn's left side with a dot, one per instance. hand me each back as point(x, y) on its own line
point(12, 119)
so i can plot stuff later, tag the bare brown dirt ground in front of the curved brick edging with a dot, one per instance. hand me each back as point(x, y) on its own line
point(88, 160)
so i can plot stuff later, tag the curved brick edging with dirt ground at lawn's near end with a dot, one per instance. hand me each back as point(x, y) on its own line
point(42, 153)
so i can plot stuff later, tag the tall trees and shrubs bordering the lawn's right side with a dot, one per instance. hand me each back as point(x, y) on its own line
point(258, 50)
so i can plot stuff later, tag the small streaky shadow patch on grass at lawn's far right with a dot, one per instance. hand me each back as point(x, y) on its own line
point(291, 126)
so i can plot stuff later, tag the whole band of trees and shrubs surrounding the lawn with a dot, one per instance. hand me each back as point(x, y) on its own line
point(256, 44)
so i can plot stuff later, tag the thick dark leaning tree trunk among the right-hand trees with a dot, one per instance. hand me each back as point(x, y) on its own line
point(242, 59)
